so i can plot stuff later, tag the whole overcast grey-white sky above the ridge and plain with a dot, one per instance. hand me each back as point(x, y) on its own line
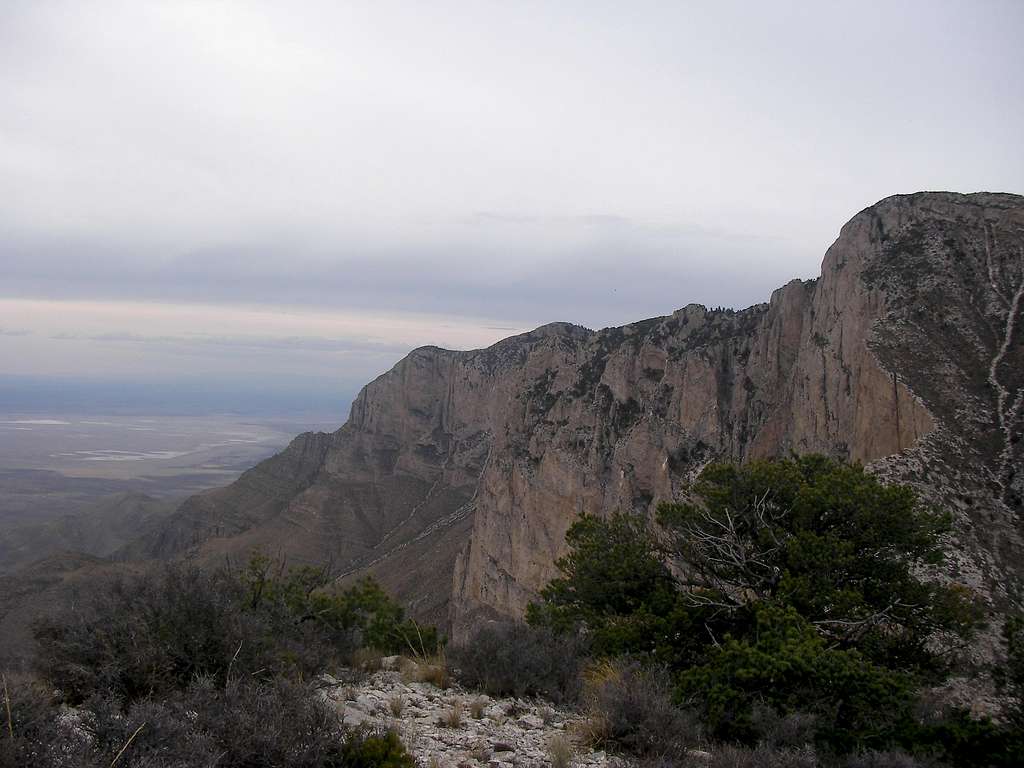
point(294, 195)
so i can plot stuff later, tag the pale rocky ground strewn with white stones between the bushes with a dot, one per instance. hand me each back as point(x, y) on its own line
point(456, 729)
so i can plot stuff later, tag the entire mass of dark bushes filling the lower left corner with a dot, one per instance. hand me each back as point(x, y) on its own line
point(181, 668)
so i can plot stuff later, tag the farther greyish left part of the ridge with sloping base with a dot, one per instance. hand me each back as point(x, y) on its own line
point(391, 494)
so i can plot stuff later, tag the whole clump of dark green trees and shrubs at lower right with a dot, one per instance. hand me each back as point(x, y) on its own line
point(795, 588)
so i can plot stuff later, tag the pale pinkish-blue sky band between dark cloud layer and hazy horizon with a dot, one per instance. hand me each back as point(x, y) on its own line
point(283, 349)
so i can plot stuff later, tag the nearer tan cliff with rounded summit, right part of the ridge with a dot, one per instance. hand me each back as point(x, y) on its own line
point(901, 352)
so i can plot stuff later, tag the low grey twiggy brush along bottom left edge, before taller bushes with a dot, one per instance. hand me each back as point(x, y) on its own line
point(246, 724)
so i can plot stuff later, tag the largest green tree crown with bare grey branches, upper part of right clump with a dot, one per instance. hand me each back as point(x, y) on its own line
point(831, 541)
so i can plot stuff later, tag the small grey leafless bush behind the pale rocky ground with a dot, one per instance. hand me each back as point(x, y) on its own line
point(515, 660)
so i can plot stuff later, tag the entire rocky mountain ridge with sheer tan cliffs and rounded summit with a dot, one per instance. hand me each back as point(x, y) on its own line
point(458, 474)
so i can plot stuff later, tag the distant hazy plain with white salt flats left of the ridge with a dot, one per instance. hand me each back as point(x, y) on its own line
point(54, 465)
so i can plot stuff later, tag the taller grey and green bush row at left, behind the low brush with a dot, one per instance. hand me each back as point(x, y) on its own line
point(158, 632)
